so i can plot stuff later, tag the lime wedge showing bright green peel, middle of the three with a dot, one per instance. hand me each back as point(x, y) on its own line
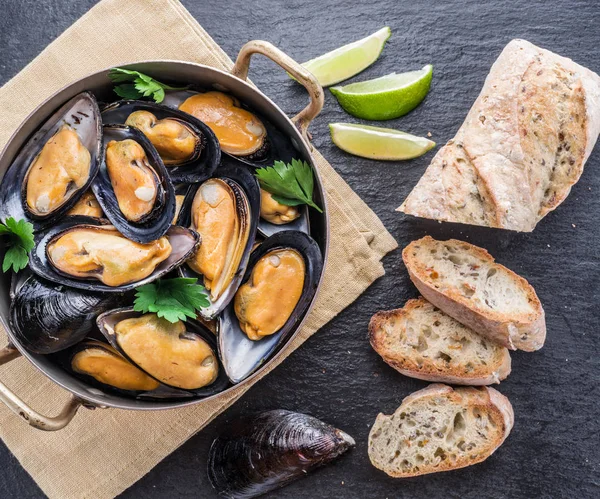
point(387, 97)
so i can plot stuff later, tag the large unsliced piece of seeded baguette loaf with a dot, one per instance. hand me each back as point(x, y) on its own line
point(522, 146)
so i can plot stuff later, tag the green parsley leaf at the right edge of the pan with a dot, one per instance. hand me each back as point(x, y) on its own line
point(290, 184)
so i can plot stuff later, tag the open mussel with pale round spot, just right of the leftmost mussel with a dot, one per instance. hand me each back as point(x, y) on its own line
point(133, 186)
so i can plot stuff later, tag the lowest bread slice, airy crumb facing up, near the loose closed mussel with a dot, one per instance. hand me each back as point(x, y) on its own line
point(440, 429)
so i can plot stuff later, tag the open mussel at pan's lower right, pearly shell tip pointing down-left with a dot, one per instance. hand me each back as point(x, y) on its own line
point(240, 355)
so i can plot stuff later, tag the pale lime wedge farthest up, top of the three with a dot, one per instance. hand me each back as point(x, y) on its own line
point(343, 63)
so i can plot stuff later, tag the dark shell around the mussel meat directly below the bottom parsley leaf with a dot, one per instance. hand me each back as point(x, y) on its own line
point(107, 321)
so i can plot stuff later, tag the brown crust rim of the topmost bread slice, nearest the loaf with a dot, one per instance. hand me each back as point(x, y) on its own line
point(518, 331)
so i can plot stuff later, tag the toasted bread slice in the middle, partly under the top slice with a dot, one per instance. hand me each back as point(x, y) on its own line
point(421, 341)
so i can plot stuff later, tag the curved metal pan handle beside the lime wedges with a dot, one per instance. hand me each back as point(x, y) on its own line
point(305, 77)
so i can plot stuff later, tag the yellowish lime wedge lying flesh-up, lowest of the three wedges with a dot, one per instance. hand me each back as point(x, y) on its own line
point(378, 143)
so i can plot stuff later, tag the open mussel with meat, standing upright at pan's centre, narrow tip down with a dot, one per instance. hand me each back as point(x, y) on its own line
point(227, 230)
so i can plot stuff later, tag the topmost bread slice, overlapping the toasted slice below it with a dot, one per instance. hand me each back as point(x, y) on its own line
point(463, 281)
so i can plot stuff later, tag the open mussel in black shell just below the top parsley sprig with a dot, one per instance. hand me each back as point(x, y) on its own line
point(189, 148)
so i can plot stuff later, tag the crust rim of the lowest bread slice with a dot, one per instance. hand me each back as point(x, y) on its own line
point(485, 398)
